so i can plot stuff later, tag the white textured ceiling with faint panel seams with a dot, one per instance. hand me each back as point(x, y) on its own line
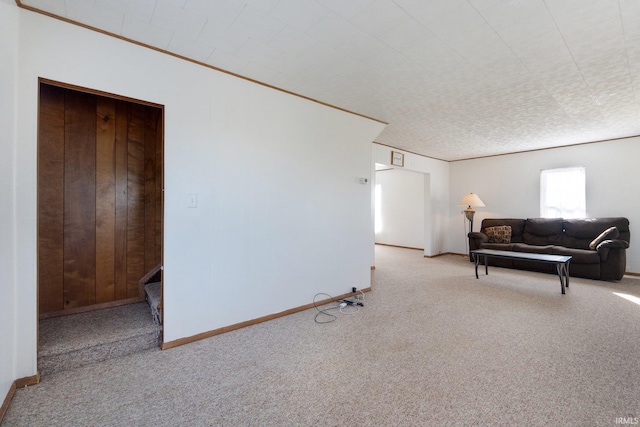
point(454, 79)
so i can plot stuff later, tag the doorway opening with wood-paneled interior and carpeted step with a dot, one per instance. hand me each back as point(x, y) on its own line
point(100, 224)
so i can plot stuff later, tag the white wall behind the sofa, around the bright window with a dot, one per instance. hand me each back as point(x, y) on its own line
point(510, 186)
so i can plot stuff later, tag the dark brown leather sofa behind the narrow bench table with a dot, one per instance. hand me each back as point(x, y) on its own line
point(604, 260)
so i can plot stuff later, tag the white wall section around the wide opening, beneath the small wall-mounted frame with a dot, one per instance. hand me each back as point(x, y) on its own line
point(436, 196)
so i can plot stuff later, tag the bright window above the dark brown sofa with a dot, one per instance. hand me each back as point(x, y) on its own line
point(562, 193)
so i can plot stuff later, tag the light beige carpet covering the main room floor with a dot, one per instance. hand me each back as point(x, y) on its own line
point(432, 346)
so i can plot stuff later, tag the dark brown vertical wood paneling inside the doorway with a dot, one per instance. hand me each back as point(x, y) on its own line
point(100, 169)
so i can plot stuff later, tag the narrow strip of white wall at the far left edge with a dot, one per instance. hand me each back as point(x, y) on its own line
point(8, 75)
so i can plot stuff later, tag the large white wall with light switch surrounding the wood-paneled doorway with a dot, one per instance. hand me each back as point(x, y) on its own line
point(281, 213)
